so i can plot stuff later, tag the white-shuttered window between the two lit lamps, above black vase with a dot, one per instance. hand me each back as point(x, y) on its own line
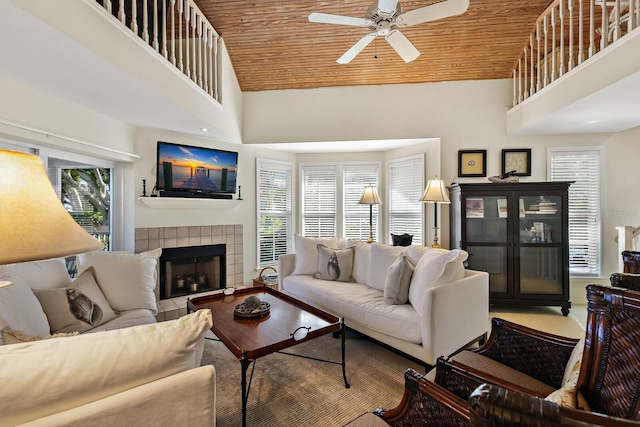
point(405, 184)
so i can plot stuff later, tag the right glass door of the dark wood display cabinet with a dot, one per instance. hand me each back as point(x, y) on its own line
point(540, 245)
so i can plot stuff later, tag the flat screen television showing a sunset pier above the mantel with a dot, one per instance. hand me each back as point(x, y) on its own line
point(188, 171)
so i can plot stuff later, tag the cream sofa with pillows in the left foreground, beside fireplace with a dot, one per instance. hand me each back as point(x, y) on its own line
point(122, 368)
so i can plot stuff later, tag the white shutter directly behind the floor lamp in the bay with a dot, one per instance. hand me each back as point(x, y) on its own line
point(356, 216)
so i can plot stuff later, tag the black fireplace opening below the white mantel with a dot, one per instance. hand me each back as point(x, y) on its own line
point(193, 269)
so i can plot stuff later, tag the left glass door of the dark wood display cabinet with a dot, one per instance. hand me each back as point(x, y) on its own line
point(486, 235)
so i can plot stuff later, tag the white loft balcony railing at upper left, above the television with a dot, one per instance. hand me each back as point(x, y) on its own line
point(178, 31)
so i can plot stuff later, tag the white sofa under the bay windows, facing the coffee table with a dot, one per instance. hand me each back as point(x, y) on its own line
point(445, 308)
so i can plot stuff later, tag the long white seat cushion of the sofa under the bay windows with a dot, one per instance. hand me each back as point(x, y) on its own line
point(359, 303)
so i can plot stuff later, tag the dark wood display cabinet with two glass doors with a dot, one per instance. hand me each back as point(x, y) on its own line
point(518, 233)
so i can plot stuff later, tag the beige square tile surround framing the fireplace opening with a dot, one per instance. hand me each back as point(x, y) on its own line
point(174, 237)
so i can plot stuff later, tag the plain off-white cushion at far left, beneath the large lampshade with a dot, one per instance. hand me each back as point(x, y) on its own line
point(20, 309)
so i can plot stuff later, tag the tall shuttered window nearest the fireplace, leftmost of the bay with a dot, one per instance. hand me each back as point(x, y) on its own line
point(275, 201)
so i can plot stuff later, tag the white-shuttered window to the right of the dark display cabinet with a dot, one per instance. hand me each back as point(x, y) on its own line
point(583, 167)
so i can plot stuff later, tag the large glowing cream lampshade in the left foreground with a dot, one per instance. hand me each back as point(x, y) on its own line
point(34, 224)
